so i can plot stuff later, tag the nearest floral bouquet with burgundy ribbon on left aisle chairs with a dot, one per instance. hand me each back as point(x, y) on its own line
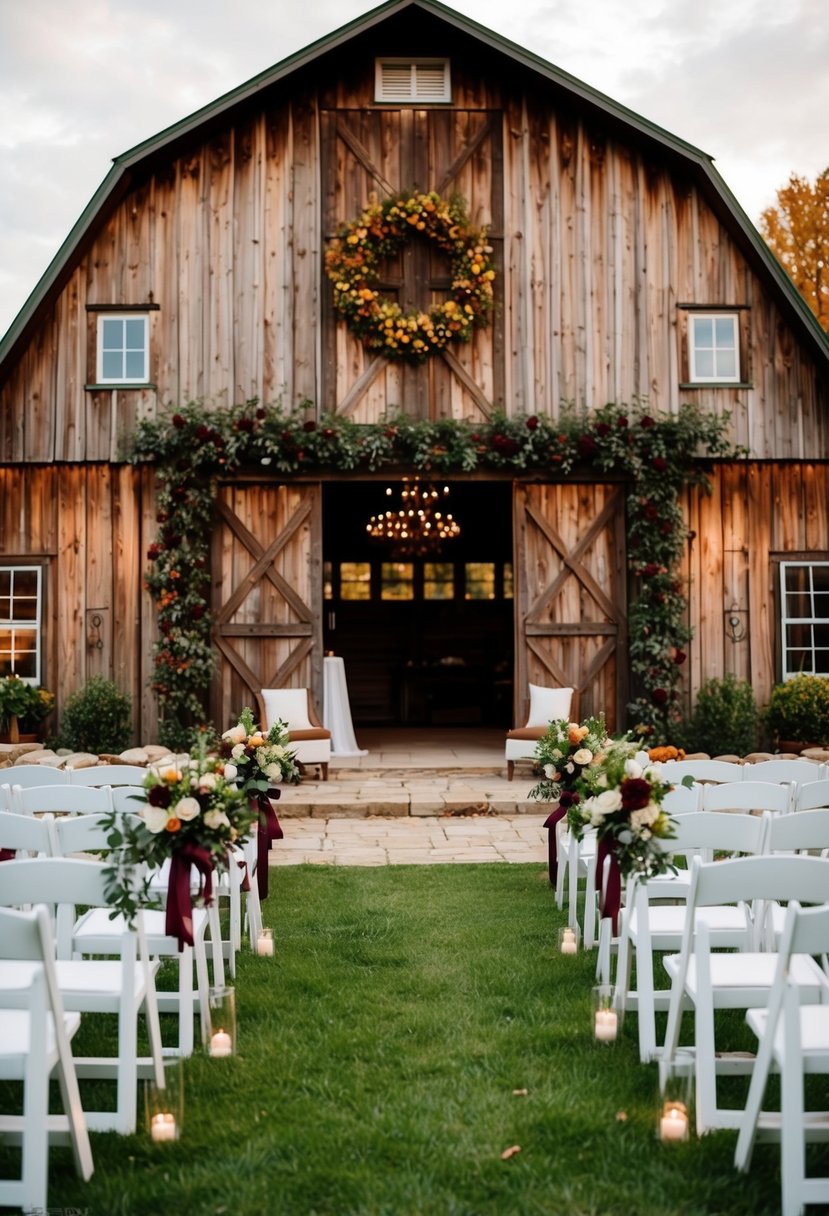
point(190, 814)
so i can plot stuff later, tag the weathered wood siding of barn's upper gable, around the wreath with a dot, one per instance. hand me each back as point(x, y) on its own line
point(600, 241)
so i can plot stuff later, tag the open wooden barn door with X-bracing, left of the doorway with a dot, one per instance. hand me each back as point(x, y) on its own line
point(268, 593)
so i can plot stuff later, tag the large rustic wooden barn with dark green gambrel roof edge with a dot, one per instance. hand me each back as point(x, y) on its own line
point(624, 271)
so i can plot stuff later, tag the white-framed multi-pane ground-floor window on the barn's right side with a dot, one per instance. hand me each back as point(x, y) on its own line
point(805, 618)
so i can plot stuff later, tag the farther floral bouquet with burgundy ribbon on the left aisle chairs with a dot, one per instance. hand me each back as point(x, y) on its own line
point(260, 763)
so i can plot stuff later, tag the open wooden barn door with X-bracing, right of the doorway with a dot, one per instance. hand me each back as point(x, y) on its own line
point(571, 599)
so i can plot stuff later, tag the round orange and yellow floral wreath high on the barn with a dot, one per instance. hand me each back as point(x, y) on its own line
point(353, 266)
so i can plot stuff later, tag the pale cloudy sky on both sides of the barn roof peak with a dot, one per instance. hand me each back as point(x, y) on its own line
point(84, 81)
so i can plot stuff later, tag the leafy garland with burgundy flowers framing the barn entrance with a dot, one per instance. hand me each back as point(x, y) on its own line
point(657, 455)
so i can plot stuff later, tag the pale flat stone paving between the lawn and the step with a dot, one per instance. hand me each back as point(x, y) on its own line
point(427, 841)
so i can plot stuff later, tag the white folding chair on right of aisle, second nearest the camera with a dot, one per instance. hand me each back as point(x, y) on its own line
point(712, 981)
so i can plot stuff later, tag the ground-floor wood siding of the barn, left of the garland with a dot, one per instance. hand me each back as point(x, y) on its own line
point(89, 527)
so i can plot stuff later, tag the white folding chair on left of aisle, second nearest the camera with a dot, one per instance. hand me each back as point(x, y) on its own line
point(125, 987)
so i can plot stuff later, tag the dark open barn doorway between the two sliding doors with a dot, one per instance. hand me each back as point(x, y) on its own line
point(427, 639)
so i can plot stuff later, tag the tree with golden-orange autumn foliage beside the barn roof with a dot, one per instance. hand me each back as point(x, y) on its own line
point(798, 233)
